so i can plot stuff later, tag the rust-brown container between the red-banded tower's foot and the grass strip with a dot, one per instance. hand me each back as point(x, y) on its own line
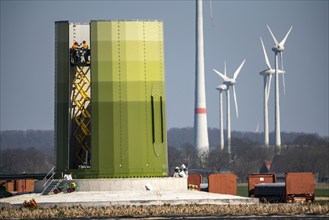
point(222, 183)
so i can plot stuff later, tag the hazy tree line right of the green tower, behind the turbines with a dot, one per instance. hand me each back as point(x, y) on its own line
point(301, 152)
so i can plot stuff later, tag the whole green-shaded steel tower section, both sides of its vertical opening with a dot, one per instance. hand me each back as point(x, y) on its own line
point(128, 121)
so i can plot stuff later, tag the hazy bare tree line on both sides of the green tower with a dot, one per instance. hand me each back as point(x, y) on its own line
point(33, 152)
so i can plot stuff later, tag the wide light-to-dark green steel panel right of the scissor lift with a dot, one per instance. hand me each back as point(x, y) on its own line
point(127, 68)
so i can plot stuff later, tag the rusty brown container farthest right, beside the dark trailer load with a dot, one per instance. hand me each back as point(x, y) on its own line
point(300, 187)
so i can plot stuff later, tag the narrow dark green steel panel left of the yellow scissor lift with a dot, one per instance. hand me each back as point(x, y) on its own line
point(61, 94)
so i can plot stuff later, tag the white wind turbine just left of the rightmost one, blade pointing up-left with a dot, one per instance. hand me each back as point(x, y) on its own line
point(267, 75)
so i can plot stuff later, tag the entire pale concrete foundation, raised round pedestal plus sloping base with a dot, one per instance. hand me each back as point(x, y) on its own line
point(130, 191)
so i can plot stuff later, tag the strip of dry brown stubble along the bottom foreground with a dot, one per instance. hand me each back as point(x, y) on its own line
point(171, 211)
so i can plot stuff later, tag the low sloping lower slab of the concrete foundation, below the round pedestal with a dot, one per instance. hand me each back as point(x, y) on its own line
point(103, 199)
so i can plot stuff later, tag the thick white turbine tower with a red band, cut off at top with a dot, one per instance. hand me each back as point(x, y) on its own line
point(200, 115)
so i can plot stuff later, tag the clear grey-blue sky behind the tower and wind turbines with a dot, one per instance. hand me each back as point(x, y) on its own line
point(232, 34)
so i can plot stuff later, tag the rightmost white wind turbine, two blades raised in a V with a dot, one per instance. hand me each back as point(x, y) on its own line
point(278, 49)
